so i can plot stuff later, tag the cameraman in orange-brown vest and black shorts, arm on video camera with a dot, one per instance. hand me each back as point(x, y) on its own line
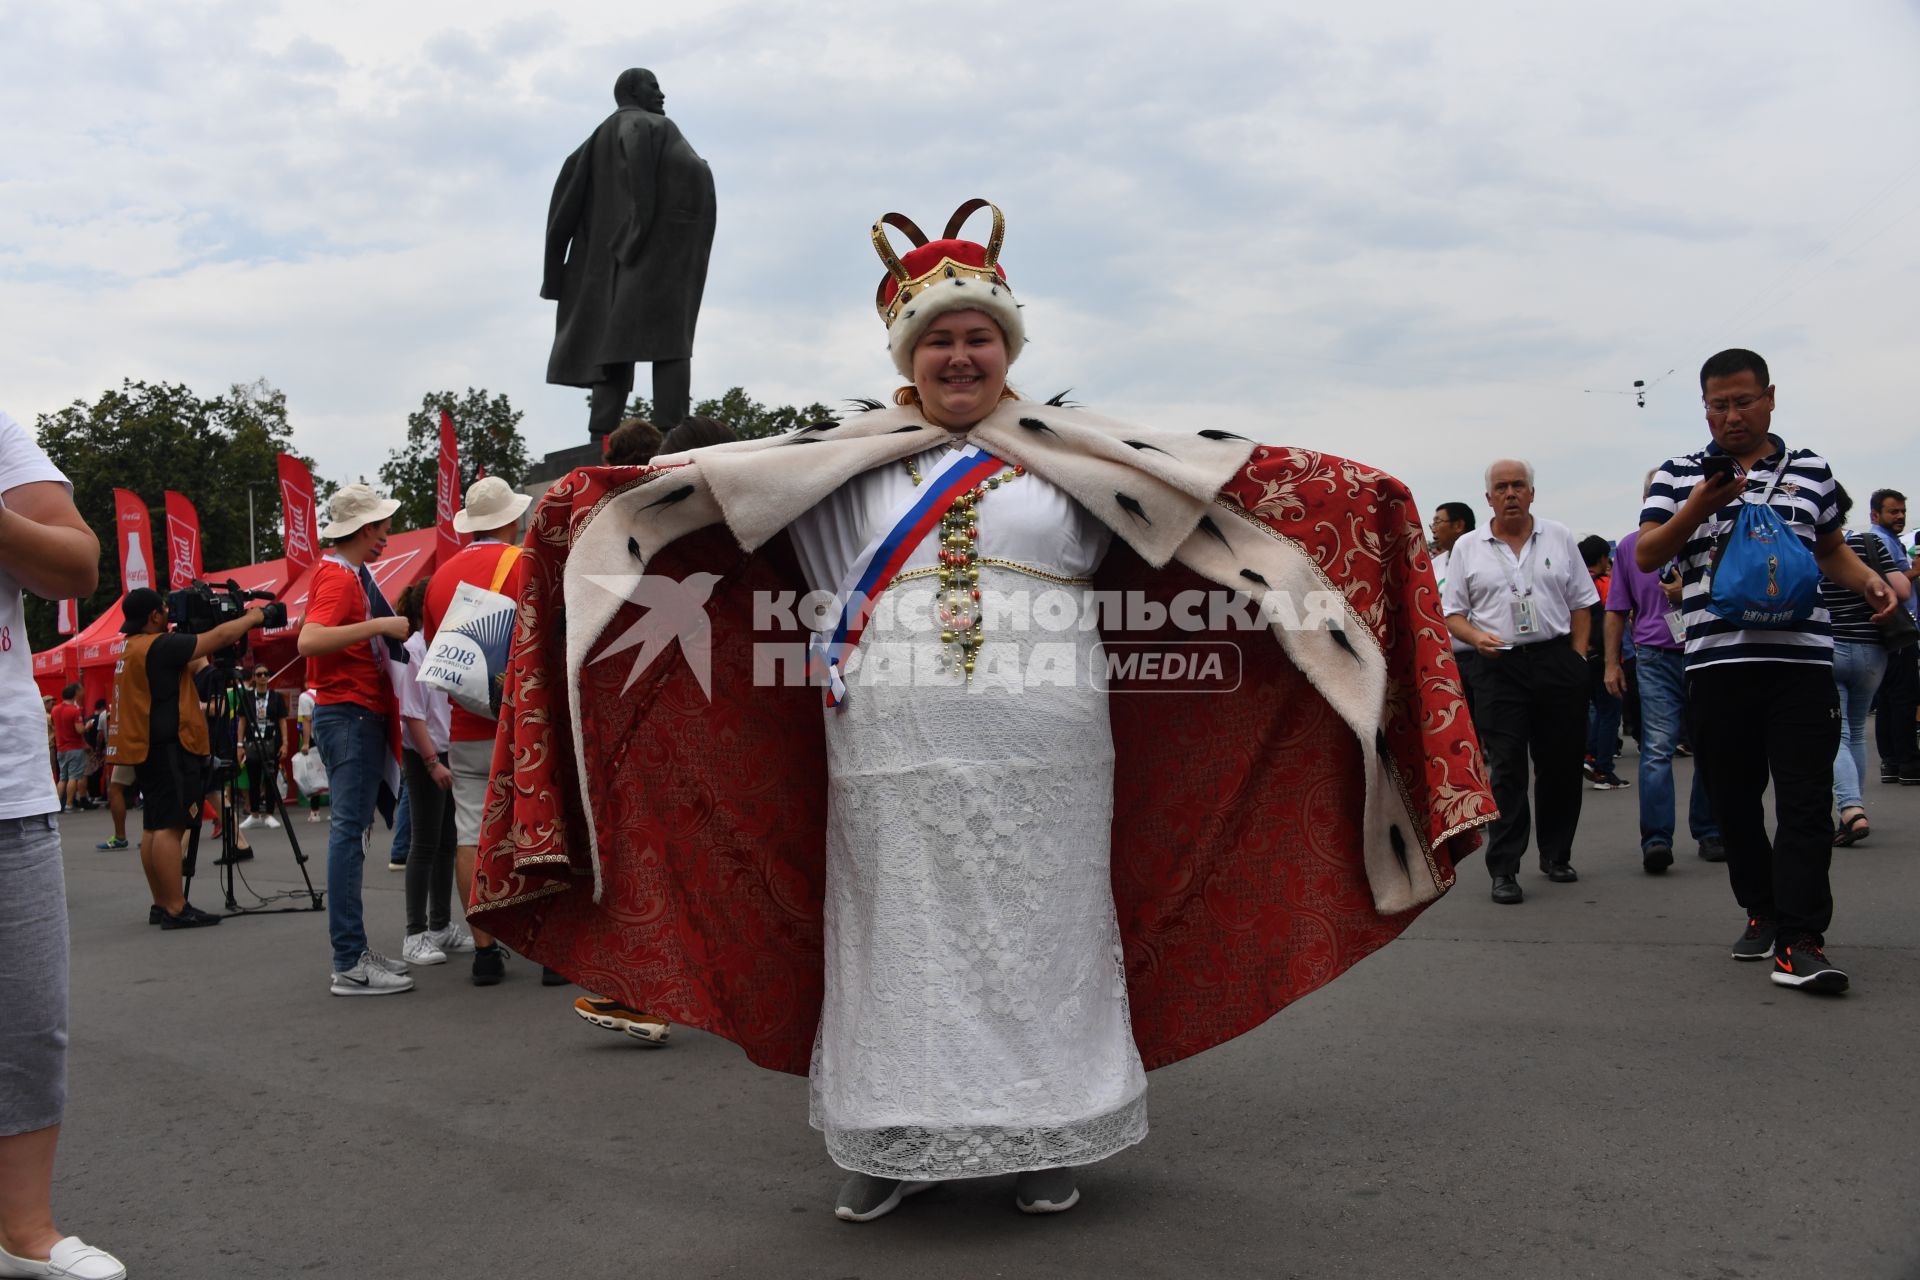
point(160, 730)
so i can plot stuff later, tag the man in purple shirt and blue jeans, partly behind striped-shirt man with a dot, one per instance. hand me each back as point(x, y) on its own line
point(1650, 604)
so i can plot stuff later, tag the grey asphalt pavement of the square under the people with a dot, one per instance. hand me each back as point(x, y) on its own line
point(1579, 1087)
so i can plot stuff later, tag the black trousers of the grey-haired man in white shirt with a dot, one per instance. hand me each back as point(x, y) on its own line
point(1531, 703)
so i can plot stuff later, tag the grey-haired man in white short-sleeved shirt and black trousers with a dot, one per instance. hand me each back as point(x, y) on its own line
point(1520, 596)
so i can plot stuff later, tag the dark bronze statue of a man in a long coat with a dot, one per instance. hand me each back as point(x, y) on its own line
point(629, 233)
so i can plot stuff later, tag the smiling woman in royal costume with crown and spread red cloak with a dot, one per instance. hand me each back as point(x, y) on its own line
point(976, 872)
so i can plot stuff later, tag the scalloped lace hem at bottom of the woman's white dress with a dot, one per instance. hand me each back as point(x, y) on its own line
point(984, 1150)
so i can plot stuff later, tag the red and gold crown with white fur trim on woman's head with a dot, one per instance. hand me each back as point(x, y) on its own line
point(944, 275)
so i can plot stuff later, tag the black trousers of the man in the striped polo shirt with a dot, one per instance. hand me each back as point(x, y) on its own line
point(1758, 723)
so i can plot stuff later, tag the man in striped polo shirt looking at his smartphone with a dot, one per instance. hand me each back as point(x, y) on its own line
point(1764, 699)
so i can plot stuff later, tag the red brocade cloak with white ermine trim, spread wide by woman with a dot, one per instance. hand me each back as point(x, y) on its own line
point(1264, 838)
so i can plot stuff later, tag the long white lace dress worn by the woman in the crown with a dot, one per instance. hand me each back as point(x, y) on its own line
point(976, 1007)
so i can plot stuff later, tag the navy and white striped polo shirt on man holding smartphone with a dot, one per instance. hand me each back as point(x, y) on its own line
point(1804, 500)
